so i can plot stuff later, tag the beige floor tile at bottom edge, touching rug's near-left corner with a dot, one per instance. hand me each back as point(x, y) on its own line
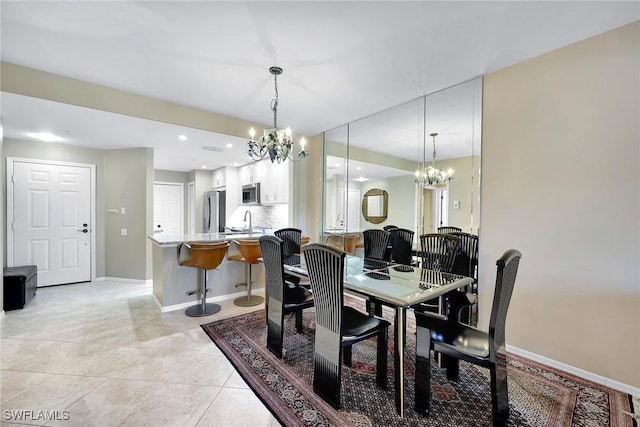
point(236, 407)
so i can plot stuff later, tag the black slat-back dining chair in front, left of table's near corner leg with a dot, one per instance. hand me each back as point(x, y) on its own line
point(338, 327)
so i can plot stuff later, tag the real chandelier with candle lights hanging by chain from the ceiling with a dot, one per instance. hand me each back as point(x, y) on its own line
point(278, 144)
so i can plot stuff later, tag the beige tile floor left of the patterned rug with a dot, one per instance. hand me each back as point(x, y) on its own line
point(102, 354)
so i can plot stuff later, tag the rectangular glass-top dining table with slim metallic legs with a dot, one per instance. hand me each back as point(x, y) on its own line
point(396, 285)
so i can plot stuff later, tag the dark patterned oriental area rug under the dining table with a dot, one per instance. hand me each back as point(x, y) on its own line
point(538, 395)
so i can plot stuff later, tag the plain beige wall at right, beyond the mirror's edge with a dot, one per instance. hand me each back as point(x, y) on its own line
point(561, 182)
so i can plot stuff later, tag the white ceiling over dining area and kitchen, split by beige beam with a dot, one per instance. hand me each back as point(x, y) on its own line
point(342, 60)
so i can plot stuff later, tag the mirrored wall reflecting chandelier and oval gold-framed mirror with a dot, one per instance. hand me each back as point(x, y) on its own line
point(387, 152)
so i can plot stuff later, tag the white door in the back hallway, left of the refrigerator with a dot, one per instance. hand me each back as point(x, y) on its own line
point(167, 208)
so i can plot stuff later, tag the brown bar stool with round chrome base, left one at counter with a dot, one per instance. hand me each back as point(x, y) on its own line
point(205, 257)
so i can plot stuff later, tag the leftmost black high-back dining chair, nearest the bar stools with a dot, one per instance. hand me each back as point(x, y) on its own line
point(283, 298)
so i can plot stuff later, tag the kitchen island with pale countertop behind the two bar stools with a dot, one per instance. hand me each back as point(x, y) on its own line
point(172, 281)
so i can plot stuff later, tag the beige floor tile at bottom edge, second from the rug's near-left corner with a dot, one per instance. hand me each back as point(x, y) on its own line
point(173, 405)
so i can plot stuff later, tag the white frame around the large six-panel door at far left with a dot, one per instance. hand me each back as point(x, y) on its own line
point(10, 207)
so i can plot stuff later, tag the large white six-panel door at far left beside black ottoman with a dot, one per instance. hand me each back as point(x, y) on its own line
point(50, 221)
